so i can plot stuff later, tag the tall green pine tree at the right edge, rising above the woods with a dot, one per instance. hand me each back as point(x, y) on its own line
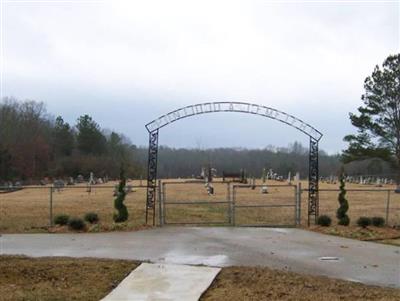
point(378, 120)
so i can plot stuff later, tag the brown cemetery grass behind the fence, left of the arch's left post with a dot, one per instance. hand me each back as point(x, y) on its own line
point(27, 210)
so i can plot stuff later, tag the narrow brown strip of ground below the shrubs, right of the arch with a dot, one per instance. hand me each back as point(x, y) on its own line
point(377, 234)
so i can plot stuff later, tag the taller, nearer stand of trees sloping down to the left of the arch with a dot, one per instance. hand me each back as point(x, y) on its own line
point(34, 145)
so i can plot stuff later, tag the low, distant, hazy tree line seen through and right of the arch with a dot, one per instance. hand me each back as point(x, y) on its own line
point(186, 163)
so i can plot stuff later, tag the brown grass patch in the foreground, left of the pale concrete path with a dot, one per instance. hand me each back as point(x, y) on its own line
point(24, 278)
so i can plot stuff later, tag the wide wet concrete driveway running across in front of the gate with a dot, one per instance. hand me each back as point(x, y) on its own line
point(290, 249)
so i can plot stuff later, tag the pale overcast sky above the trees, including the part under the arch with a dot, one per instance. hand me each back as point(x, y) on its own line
point(127, 62)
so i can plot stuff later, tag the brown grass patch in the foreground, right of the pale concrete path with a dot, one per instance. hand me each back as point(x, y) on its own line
point(255, 283)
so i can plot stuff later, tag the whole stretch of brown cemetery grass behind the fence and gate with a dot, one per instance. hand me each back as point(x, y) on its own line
point(28, 210)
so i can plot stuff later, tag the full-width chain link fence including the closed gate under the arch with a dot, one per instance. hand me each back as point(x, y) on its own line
point(32, 208)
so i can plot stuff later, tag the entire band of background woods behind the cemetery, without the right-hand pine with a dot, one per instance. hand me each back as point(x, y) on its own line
point(35, 145)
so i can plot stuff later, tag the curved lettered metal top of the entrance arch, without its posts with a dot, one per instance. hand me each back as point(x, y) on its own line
point(241, 107)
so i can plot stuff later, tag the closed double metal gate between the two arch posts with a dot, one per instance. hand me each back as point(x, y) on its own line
point(188, 203)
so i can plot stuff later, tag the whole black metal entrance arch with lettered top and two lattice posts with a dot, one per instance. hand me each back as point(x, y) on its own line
point(154, 126)
